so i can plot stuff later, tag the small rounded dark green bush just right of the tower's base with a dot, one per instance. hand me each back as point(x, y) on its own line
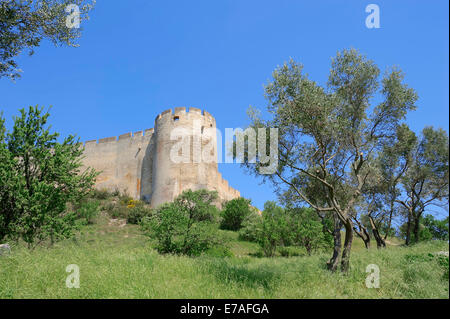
point(234, 213)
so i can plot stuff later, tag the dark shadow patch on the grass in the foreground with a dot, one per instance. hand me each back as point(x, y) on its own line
point(244, 274)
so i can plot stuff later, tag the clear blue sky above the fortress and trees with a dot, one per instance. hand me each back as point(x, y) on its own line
point(138, 58)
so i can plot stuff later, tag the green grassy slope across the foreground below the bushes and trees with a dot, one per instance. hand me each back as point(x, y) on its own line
point(118, 262)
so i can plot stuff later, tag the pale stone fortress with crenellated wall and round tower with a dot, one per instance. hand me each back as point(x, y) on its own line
point(142, 164)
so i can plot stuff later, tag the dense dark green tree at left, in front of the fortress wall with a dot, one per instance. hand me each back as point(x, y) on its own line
point(39, 176)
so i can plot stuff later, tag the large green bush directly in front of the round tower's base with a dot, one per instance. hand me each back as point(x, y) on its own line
point(184, 226)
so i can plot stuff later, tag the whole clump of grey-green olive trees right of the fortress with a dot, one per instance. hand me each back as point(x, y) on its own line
point(344, 150)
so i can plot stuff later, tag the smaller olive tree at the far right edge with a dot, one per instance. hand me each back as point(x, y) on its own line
point(425, 183)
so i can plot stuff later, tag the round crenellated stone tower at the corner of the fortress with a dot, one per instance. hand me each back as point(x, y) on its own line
point(185, 153)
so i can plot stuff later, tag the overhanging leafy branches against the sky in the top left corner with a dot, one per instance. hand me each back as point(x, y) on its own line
point(25, 23)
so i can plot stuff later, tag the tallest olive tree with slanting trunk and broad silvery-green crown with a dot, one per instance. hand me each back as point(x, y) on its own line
point(330, 133)
